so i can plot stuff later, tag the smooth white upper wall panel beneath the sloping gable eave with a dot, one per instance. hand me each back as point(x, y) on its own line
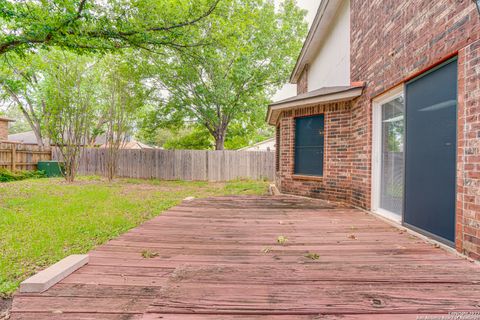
point(331, 66)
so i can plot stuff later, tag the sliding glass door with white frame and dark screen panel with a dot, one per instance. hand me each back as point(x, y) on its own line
point(414, 153)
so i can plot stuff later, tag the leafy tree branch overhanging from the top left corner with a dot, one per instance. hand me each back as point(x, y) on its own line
point(99, 26)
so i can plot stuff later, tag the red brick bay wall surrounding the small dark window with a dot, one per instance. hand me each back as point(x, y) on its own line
point(335, 183)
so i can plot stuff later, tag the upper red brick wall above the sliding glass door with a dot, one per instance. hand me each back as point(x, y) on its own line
point(392, 40)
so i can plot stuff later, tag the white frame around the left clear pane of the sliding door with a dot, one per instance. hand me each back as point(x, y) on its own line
point(376, 151)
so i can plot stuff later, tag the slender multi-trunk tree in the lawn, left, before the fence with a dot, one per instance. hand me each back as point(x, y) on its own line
point(70, 91)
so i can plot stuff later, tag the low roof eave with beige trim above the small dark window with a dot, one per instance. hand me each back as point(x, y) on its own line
point(315, 97)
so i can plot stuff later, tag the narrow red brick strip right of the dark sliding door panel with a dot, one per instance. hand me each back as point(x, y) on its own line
point(468, 168)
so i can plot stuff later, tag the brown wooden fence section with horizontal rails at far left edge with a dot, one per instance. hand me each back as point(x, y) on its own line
point(17, 156)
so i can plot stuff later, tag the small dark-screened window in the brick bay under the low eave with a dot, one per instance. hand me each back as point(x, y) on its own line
point(309, 145)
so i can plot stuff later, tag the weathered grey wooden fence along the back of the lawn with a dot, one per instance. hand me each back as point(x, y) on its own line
point(198, 165)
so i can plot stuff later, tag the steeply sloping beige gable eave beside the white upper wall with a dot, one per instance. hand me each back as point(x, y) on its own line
point(320, 28)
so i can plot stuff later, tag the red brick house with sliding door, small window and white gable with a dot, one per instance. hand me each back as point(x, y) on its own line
point(387, 115)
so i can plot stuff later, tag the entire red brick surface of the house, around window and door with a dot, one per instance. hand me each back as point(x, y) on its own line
point(391, 42)
